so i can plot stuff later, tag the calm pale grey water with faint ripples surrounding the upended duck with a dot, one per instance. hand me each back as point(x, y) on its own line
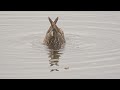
point(92, 47)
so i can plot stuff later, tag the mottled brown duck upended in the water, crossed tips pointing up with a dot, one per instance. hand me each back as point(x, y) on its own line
point(54, 38)
